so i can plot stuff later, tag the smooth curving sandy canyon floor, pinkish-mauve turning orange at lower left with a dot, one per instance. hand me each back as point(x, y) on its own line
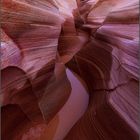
point(68, 115)
